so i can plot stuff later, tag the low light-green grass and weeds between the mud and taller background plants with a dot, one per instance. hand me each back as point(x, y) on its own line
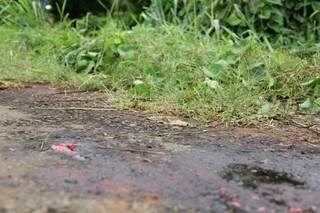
point(166, 69)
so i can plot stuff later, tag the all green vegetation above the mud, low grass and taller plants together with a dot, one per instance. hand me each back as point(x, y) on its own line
point(231, 61)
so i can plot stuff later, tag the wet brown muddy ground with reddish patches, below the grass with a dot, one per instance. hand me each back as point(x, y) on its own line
point(128, 161)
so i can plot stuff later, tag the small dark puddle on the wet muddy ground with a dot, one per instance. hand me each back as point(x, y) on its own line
point(252, 176)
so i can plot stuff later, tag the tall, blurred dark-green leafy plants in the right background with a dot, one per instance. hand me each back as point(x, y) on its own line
point(283, 21)
